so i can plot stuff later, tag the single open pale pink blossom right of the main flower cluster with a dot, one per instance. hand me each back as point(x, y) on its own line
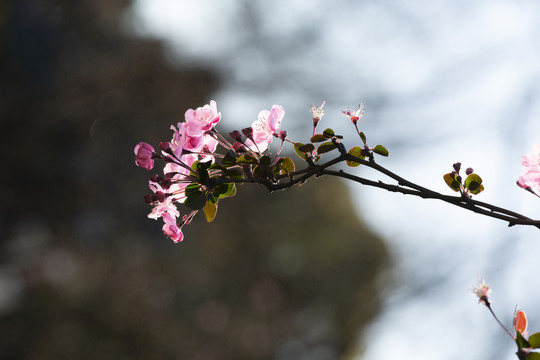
point(267, 124)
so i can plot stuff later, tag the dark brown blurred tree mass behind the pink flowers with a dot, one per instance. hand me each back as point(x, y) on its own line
point(84, 275)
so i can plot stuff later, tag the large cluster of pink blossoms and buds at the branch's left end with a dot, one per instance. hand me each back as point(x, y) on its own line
point(196, 139)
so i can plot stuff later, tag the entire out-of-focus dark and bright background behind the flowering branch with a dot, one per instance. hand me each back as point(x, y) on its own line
point(324, 271)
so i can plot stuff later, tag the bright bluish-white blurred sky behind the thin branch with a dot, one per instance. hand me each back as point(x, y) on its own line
point(442, 82)
